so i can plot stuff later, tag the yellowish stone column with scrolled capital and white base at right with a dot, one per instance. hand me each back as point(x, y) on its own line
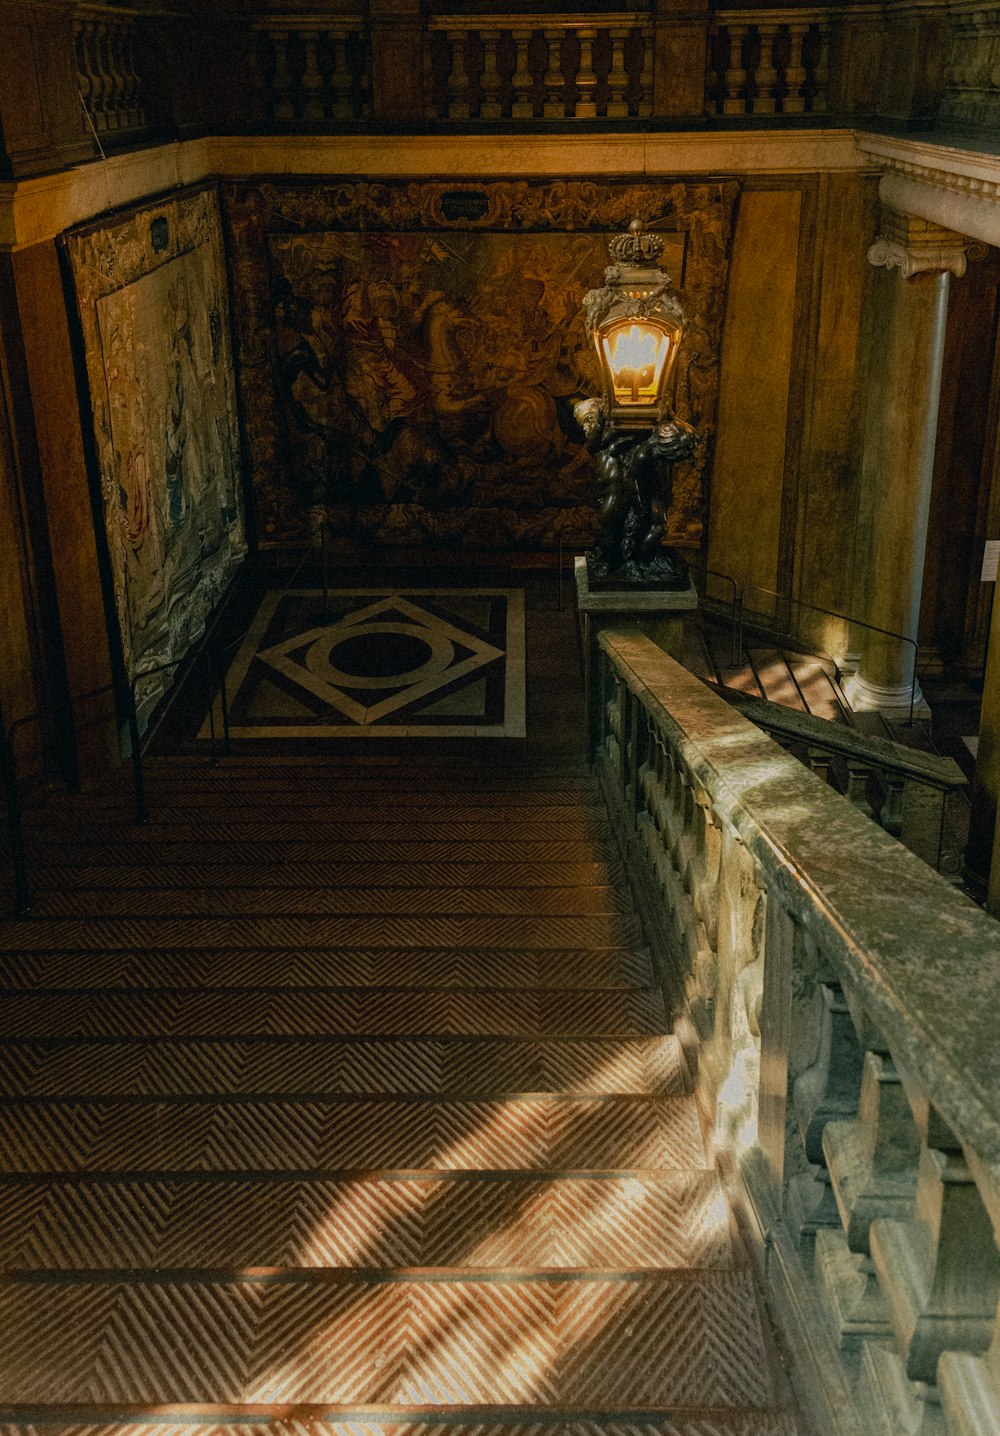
point(916, 261)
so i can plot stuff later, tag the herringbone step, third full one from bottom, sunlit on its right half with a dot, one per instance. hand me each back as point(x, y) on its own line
point(323, 1137)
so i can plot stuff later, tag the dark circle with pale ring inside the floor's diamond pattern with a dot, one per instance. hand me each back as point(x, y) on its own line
point(380, 656)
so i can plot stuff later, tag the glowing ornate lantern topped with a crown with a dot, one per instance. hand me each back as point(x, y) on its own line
point(637, 327)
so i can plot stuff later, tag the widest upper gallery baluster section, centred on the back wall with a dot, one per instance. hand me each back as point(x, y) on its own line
point(540, 68)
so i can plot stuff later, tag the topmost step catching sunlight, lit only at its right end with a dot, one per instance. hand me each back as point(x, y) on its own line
point(295, 1066)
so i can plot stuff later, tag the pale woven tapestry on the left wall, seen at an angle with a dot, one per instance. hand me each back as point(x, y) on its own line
point(154, 309)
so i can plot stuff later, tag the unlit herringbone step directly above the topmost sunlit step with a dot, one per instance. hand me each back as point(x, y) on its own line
point(318, 1012)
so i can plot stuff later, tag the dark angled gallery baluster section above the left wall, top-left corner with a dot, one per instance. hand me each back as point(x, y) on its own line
point(108, 74)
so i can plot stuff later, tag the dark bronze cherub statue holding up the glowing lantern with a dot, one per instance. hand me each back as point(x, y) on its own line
point(636, 476)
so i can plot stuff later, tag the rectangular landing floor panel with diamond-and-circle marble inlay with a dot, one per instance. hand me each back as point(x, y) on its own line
point(419, 663)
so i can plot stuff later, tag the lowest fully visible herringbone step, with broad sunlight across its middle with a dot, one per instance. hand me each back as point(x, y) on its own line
point(562, 1343)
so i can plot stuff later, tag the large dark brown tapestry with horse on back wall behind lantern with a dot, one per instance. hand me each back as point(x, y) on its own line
point(410, 354)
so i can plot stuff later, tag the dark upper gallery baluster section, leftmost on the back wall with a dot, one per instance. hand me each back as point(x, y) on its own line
point(315, 71)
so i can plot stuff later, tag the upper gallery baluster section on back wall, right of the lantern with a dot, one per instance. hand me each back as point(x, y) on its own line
point(768, 62)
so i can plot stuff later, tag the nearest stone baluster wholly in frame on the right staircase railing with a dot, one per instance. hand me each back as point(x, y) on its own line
point(873, 1165)
